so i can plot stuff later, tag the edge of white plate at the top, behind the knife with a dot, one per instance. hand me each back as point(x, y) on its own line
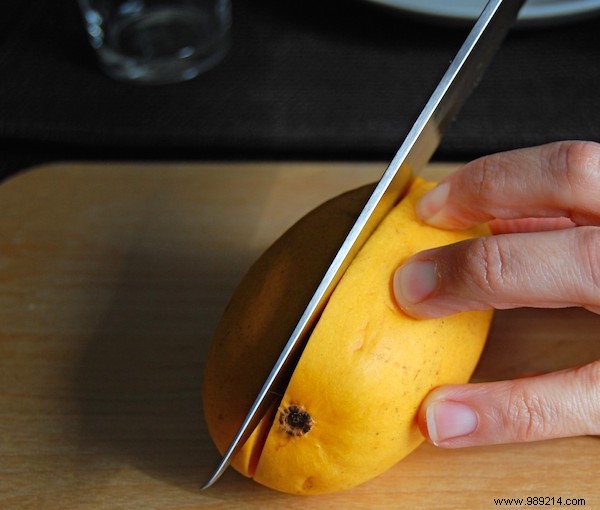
point(534, 12)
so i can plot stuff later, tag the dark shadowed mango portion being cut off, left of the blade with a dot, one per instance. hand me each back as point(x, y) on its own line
point(262, 314)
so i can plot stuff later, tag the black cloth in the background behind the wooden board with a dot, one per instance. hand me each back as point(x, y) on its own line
point(317, 79)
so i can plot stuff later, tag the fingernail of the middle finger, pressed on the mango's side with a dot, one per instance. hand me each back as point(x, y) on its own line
point(415, 281)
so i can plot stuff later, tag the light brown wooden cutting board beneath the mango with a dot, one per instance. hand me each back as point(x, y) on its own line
point(112, 279)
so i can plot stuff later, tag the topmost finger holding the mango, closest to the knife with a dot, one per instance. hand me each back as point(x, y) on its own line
point(557, 180)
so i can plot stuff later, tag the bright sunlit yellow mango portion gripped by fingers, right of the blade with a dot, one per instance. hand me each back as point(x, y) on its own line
point(368, 366)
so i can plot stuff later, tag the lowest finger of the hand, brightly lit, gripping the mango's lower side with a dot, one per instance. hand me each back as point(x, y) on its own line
point(559, 404)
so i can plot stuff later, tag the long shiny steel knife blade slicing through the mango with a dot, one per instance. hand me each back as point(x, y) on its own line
point(462, 76)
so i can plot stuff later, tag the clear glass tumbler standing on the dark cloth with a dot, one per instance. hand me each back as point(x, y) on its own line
point(157, 41)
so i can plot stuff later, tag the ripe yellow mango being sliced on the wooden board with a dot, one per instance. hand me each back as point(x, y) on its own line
point(349, 411)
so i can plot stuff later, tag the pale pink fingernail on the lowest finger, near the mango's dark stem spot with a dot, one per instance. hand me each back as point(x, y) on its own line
point(448, 420)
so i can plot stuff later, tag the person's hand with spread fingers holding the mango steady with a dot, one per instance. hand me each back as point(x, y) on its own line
point(543, 205)
